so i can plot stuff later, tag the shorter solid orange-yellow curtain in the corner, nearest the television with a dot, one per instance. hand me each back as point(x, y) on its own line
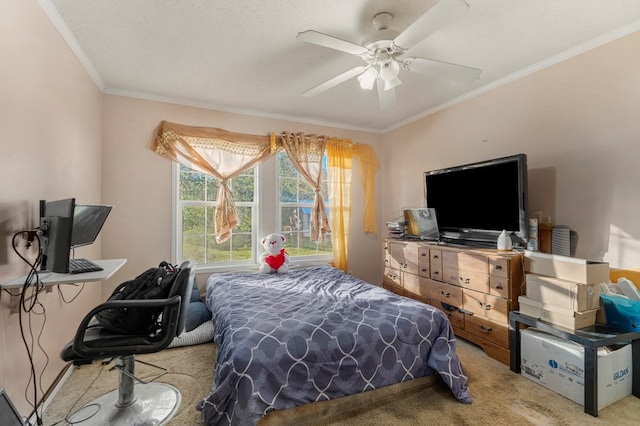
point(367, 168)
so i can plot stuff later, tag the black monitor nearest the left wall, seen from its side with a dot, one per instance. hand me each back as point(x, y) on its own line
point(56, 226)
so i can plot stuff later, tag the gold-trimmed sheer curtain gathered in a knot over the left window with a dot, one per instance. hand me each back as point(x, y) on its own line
point(216, 152)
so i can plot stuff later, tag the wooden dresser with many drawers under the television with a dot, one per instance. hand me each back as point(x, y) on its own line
point(475, 287)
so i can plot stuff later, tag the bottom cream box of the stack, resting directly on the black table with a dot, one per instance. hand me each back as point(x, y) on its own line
point(558, 316)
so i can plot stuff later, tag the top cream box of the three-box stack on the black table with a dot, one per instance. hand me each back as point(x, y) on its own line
point(566, 268)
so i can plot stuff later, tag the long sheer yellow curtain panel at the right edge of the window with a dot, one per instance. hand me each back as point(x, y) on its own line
point(339, 167)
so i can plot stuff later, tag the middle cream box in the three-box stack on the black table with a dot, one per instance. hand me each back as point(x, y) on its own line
point(562, 293)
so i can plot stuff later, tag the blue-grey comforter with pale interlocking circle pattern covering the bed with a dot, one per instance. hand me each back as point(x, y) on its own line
point(316, 334)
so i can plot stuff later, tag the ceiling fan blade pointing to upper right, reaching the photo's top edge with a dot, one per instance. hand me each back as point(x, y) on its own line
point(439, 16)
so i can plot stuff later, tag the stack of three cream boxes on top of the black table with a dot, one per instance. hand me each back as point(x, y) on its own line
point(564, 291)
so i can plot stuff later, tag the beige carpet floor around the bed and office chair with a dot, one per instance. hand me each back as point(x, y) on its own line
point(500, 397)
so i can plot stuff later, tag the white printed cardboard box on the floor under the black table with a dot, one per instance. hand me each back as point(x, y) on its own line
point(558, 365)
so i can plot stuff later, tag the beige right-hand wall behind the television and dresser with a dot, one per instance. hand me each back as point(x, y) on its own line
point(577, 122)
